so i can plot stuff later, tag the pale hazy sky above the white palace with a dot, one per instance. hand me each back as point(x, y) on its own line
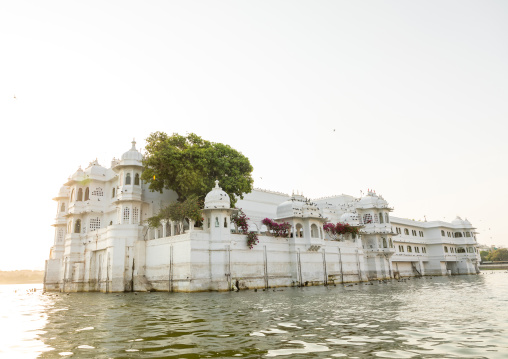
point(415, 91)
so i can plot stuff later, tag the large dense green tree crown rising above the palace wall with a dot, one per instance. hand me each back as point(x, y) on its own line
point(190, 165)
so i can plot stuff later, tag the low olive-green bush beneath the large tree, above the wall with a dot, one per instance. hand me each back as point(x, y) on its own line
point(189, 209)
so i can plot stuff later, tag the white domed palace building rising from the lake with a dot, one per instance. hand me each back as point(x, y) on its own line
point(102, 242)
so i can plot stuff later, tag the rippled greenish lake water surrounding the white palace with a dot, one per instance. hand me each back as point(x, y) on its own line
point(442, 317)
